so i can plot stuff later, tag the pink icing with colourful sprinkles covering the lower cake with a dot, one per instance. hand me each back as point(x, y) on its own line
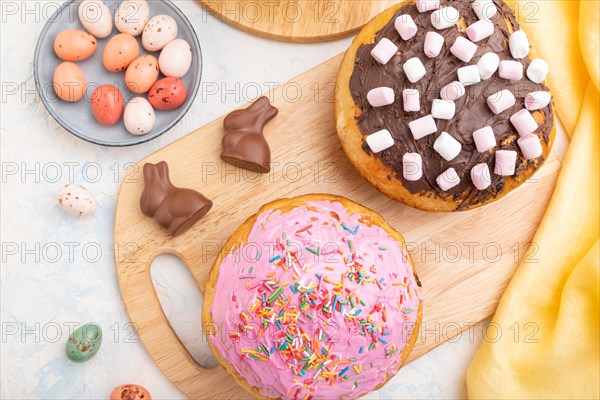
point(262, 356)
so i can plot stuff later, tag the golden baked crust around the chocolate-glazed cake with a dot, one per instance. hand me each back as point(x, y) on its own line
point(372, 168)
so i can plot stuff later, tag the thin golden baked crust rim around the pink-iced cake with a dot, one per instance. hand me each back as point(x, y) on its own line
point(239, 237)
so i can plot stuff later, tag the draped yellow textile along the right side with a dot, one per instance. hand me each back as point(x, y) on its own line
point(557, 355)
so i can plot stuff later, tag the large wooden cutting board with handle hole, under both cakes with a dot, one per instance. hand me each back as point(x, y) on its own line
point(464, 259)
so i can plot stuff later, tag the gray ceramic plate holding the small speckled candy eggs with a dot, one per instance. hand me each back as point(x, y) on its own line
point(77, 117)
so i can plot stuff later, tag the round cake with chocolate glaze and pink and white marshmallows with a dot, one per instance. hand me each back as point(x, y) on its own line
point(443, 105)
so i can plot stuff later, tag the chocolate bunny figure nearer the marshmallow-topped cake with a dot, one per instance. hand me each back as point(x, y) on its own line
point(244, 144)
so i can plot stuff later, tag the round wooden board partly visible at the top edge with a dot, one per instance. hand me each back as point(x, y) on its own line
point(298, 20)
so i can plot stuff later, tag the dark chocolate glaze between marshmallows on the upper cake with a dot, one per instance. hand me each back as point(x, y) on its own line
point(472, 111)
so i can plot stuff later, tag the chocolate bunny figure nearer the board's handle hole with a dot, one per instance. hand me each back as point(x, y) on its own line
point(174, 208)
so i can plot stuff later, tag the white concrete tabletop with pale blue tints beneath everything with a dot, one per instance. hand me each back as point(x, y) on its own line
point(58, 270)
